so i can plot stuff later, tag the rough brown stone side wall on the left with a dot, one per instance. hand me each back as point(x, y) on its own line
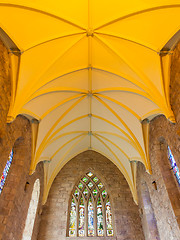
point(14, 199)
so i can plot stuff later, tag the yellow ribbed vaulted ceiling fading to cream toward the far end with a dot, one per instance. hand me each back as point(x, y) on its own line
point(90, 72)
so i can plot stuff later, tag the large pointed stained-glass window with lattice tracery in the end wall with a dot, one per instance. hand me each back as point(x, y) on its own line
point(90, 209)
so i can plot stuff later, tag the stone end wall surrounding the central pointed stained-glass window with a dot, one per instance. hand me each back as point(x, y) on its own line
point(55, 212)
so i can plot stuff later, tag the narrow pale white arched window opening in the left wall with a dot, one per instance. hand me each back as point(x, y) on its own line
point(31, 215)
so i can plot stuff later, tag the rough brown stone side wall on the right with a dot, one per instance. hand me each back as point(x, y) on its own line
point(166, 199)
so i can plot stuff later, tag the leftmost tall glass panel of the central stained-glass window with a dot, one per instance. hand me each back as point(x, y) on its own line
point(72, 223)
